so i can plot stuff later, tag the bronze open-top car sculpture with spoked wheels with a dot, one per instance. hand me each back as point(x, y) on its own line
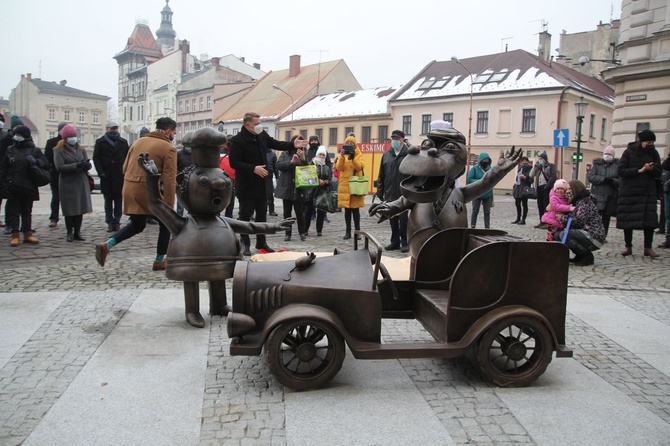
point(302, 318)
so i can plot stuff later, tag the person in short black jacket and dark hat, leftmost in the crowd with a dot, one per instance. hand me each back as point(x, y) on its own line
point(17, 185)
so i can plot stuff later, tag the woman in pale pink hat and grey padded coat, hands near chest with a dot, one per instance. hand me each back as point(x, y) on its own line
point(604, 181)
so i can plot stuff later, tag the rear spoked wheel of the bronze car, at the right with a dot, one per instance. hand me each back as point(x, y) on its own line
point(515, 351)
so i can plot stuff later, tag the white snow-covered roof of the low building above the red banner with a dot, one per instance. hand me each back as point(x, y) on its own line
point(371, 101)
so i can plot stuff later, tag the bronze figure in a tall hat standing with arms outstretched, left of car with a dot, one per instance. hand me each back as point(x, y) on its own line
point(204, 245)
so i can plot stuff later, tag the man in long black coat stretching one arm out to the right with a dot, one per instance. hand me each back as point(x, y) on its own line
point(248, 156)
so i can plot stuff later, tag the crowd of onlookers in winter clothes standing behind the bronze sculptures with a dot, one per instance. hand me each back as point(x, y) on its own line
point(627, 188)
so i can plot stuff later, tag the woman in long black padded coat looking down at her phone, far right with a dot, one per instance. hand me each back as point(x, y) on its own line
point(638, 170)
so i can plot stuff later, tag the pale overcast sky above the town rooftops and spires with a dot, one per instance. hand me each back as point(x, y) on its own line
point(382, 44)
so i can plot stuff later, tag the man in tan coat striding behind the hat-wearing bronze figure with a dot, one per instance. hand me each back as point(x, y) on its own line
point(135, 202)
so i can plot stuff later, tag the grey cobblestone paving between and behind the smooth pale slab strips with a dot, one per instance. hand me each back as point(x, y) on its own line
point(242, 403)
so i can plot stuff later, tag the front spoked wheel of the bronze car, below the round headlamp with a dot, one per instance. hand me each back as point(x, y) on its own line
point(304, 355)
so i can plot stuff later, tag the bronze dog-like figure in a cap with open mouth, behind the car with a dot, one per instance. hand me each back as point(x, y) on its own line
point(430, 191)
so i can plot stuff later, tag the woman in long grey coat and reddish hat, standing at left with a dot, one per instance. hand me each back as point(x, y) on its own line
point(72, 163)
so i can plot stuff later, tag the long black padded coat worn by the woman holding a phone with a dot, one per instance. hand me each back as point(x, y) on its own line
point(636, 207)
